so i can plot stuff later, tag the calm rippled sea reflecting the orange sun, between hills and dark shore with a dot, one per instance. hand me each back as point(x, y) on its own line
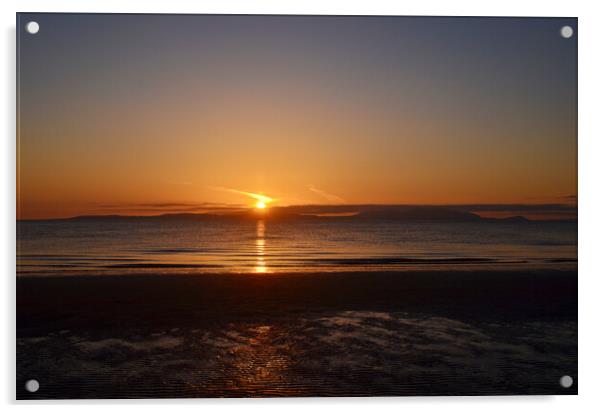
point(122, 246)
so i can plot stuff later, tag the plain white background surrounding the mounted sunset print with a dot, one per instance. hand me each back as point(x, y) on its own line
point(590, 197)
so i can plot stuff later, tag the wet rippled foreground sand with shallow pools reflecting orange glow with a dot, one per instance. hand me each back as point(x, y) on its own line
point(345, 353)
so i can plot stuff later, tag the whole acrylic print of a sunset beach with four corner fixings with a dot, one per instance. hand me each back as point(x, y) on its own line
point(265, 206)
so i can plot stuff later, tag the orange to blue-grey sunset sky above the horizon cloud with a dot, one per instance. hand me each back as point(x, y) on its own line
point(143, 114)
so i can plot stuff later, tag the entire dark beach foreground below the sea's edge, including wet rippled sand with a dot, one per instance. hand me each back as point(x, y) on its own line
point(348, 334)
